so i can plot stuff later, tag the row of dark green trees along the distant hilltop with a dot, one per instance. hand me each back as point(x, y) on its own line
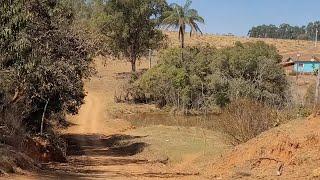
point(286, 31)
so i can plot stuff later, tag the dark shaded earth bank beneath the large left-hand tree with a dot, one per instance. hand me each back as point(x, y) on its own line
point(27, 155)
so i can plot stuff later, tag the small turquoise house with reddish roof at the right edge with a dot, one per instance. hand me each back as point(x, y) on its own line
point(302, 65)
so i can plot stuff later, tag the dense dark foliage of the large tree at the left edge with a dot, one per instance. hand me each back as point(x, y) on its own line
point(41, 60)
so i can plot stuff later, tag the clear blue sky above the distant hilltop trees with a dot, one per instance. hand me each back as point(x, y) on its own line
point(238, 16)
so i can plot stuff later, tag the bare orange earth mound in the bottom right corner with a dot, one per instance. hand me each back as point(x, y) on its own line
point(290, 151)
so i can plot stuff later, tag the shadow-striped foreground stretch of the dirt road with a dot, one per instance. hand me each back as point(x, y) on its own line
point(105, 157)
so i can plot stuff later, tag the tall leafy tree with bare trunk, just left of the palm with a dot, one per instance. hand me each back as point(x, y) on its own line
point(131, 27)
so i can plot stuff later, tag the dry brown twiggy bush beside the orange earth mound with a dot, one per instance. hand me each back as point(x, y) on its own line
point(244, 119)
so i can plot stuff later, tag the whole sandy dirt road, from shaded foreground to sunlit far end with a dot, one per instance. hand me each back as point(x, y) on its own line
point(98, 146)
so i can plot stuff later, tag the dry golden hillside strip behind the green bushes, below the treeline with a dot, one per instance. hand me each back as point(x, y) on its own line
point(286, 48)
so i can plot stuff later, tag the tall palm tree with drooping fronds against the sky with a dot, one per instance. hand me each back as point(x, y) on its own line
point(179, 17)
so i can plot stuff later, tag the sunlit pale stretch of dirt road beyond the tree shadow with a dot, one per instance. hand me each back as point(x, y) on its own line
point(93, 117)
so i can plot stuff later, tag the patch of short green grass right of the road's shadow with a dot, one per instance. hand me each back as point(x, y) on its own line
point(178, 143)
